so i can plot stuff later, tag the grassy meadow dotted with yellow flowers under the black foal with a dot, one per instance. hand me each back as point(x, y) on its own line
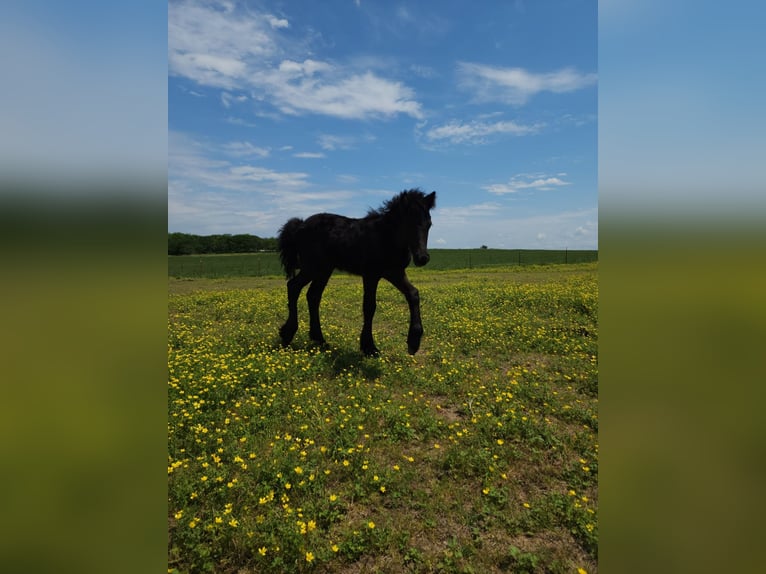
point(478, 454)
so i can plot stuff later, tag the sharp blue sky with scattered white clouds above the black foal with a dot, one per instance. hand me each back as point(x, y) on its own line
point(278, 109)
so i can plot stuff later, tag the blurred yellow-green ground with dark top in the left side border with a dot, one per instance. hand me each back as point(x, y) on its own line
point(84, 307)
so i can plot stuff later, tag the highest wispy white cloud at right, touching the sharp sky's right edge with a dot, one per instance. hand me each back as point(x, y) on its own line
point(516, 85)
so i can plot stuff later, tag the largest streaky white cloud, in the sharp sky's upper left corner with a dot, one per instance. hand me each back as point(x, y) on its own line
point(221, 45)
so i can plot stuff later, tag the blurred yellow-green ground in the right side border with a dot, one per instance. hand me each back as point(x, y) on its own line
point(682, 307)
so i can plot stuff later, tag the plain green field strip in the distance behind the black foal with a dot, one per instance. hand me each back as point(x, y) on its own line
point(264, 264)
